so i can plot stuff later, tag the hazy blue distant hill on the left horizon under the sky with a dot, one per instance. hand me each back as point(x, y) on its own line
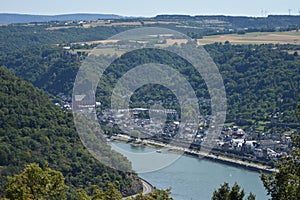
point(7, 18)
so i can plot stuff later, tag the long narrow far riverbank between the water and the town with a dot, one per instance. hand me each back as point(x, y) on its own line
point(200, 154)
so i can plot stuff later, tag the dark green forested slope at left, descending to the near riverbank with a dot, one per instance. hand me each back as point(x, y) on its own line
point(32, 129)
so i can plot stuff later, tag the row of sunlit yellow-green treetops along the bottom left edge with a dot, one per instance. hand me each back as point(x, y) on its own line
point(46, 184)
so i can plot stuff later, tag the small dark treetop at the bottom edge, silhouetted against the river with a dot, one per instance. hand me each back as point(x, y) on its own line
point(235, 193)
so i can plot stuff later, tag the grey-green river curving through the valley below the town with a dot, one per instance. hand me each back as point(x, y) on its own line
point(192, 178)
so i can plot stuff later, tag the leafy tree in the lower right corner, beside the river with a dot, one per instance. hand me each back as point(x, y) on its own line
point(285, 184)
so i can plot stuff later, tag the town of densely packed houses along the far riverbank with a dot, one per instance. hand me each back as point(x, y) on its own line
point(232, 140)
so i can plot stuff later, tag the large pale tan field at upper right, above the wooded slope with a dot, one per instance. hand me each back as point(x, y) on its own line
point(291, 37)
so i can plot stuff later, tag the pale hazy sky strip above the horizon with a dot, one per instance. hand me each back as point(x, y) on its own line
point(152, 7)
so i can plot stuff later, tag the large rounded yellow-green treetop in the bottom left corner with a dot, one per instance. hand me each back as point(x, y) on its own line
point(36, 183)
